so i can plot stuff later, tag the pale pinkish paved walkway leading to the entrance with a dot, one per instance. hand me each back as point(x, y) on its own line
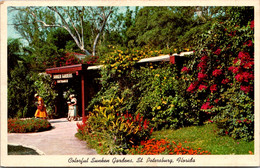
point(60, 140)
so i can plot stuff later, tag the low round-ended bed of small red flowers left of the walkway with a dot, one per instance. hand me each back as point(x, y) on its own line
point(27, 125)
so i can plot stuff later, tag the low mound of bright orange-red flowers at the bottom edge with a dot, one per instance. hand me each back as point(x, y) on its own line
point(164, 147)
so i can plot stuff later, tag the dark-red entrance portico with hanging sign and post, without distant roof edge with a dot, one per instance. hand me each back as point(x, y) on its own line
point(82, 77)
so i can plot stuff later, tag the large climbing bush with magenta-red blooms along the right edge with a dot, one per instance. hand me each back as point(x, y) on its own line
point(222, 79)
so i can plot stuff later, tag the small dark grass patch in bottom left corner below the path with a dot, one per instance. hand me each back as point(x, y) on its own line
point(20, 150)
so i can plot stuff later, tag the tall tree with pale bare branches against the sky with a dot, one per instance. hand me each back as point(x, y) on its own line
point(72, 19)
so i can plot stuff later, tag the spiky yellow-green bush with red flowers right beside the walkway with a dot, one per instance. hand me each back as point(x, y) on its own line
point(122, 129)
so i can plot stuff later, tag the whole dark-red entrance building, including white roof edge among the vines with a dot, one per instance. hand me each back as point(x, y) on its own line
point(84, 78)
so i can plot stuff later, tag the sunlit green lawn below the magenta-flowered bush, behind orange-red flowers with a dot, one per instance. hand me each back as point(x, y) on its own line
point(206, 137)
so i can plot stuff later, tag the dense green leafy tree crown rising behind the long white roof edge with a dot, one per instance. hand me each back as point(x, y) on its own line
point(158, 27)
